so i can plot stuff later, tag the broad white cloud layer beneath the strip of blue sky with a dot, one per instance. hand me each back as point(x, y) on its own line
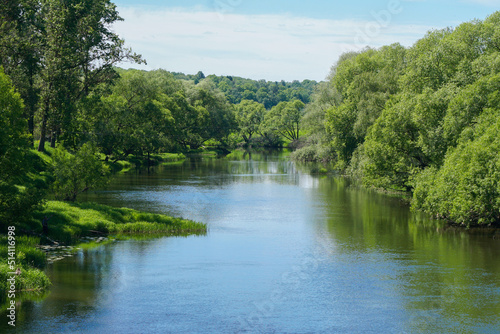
point(271, 47)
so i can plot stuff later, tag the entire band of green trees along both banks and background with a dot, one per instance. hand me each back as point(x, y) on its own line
point(422, 119)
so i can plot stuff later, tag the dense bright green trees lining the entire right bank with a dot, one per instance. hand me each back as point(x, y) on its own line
point(424, 119)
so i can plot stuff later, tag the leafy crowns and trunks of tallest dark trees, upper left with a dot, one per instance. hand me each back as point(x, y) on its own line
point(57, 53)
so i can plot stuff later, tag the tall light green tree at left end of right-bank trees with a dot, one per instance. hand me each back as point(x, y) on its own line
point(362, 83)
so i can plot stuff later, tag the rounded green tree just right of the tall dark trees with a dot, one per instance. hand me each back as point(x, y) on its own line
point(136, 116)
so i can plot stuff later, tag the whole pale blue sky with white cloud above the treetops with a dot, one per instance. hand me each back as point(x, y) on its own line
point(278, 40)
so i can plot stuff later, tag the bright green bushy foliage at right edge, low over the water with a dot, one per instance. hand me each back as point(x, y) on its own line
point(466, 189)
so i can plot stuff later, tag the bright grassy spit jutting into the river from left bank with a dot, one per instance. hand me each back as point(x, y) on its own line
point(71, 221)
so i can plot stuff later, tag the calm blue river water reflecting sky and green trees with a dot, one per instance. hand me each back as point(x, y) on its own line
point(287, 252)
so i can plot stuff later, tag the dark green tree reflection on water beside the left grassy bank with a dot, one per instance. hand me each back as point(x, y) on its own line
point(82, 285)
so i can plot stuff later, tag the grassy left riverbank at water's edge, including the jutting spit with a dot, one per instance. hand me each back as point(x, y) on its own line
point(70, 224)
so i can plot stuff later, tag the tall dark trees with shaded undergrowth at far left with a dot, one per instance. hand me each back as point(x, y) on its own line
point(55, 55)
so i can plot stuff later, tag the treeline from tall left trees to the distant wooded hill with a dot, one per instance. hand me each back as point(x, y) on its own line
point(60, 89)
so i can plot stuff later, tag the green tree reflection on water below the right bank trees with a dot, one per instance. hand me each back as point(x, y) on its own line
point(446, 279)
